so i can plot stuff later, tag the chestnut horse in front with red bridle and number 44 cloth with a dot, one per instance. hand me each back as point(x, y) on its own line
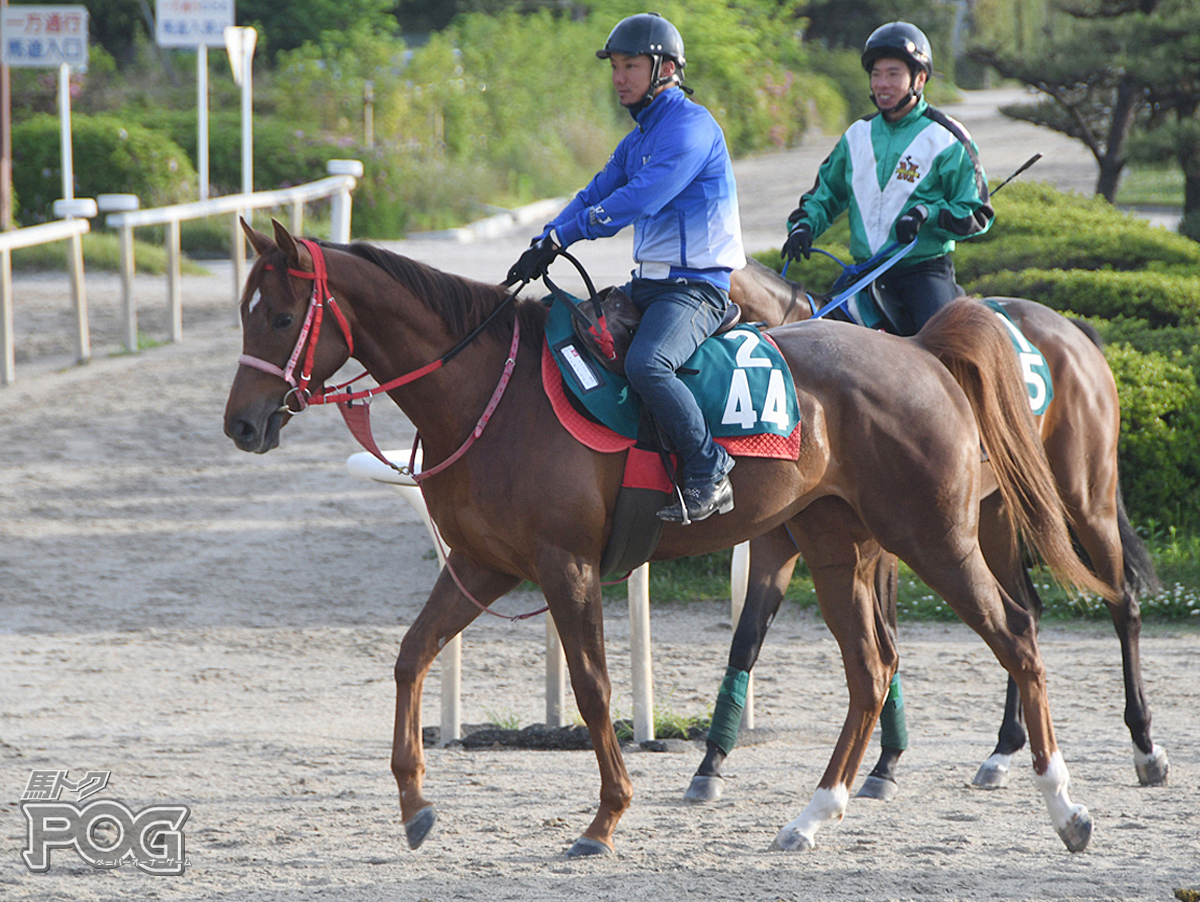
point(890, 460)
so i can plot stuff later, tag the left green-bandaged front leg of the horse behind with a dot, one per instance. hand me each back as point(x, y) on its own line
point(772, 561)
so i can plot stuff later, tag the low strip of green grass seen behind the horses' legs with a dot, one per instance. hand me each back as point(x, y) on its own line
point(1177, 560)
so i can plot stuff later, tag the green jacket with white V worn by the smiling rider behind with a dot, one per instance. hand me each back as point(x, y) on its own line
point(880, 171)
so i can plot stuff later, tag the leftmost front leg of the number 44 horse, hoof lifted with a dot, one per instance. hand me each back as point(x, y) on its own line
point(447, 612)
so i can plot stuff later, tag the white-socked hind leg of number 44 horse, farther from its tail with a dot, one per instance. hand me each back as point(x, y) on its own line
point(843, 562)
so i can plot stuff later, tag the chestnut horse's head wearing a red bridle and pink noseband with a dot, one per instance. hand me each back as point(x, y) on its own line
point(284, 350)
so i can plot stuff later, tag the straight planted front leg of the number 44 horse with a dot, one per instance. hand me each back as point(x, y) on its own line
point(573, 591)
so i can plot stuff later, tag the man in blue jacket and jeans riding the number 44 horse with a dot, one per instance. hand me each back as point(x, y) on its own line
point(673, 181)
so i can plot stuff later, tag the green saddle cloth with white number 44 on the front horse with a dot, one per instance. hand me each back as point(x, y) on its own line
point(740, 380)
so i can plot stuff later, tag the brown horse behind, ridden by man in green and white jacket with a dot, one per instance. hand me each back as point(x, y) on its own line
point(1079, 434)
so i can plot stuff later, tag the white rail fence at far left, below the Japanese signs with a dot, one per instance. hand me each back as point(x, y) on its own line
point(338, 188)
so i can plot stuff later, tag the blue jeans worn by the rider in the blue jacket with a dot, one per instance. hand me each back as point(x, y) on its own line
point(676, 318)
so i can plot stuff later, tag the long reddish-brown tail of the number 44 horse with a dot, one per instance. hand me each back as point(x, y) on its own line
point(970, 342)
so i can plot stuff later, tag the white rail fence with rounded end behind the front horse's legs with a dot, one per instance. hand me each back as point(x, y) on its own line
point(365, 466)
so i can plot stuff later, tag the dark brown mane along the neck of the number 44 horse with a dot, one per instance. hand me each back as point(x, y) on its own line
point(464, 304)
